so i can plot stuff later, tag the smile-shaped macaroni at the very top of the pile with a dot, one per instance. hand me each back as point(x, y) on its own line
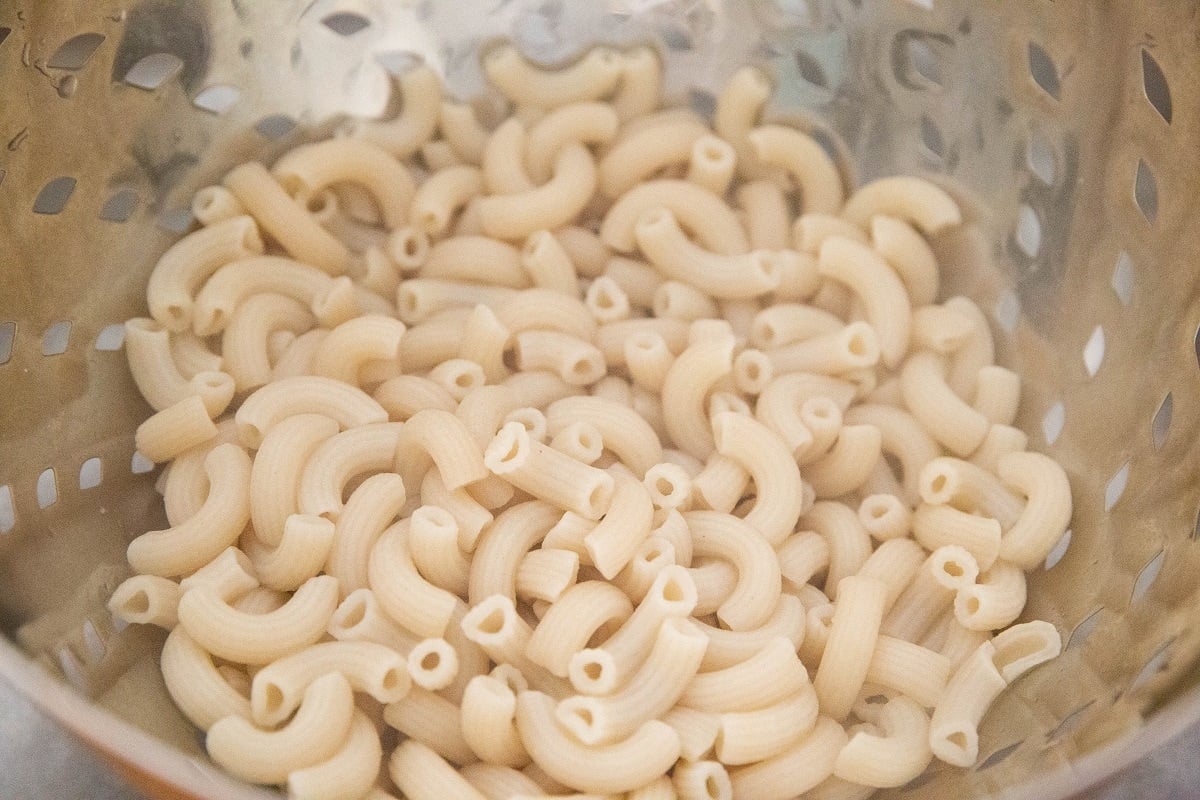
point(592, 77)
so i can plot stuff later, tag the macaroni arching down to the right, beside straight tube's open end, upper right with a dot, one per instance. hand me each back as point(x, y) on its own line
point(884, 296)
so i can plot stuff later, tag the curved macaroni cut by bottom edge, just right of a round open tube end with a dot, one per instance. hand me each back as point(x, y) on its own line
point(799, 769)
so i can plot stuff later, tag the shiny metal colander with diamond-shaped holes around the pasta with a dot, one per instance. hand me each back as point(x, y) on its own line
point(1070, 131)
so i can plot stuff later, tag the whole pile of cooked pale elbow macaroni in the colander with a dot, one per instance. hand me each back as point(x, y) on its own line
point(609, 452)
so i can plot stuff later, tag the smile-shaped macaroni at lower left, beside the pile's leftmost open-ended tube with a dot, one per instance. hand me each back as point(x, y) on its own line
point(259, 639)
